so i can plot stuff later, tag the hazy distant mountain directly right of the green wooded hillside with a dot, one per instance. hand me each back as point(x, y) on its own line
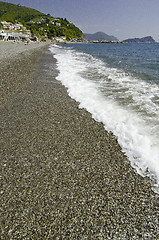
point(99, 36)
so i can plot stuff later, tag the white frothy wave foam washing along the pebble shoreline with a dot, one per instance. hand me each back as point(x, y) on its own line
point(123, 104)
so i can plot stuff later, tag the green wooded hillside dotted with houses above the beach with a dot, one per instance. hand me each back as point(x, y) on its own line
point(39, 23)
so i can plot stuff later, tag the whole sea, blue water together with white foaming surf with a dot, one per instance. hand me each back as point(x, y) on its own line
point(119, 85)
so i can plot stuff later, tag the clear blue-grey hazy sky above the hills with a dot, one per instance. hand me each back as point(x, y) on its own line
point(121, 18)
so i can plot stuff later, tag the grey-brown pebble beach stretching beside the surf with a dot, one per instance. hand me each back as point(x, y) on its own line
point(62, 175)
